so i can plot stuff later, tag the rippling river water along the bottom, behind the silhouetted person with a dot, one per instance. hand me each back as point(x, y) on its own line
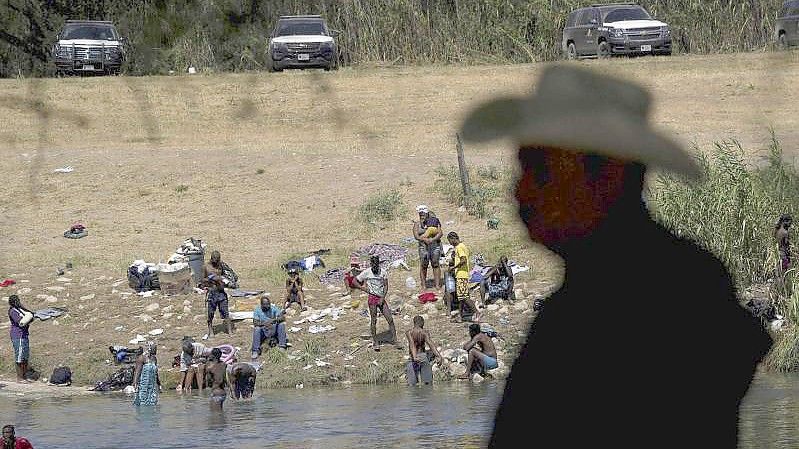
point(446, 415)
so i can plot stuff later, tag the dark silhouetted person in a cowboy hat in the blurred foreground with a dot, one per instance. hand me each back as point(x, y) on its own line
point(644, 344)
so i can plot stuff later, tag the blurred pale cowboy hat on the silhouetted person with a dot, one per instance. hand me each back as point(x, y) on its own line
point(576, 108)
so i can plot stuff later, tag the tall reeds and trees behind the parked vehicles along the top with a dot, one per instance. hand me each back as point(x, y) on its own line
point(230, 35)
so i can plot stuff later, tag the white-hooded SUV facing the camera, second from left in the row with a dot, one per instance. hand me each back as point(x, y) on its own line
point(301, 42)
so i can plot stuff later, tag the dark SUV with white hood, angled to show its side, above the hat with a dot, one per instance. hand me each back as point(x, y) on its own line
point(614, 29)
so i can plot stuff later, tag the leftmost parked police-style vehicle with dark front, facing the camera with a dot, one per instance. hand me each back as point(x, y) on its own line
point(88, 46)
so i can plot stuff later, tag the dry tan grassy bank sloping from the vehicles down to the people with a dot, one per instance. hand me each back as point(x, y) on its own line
point(266, 166)
